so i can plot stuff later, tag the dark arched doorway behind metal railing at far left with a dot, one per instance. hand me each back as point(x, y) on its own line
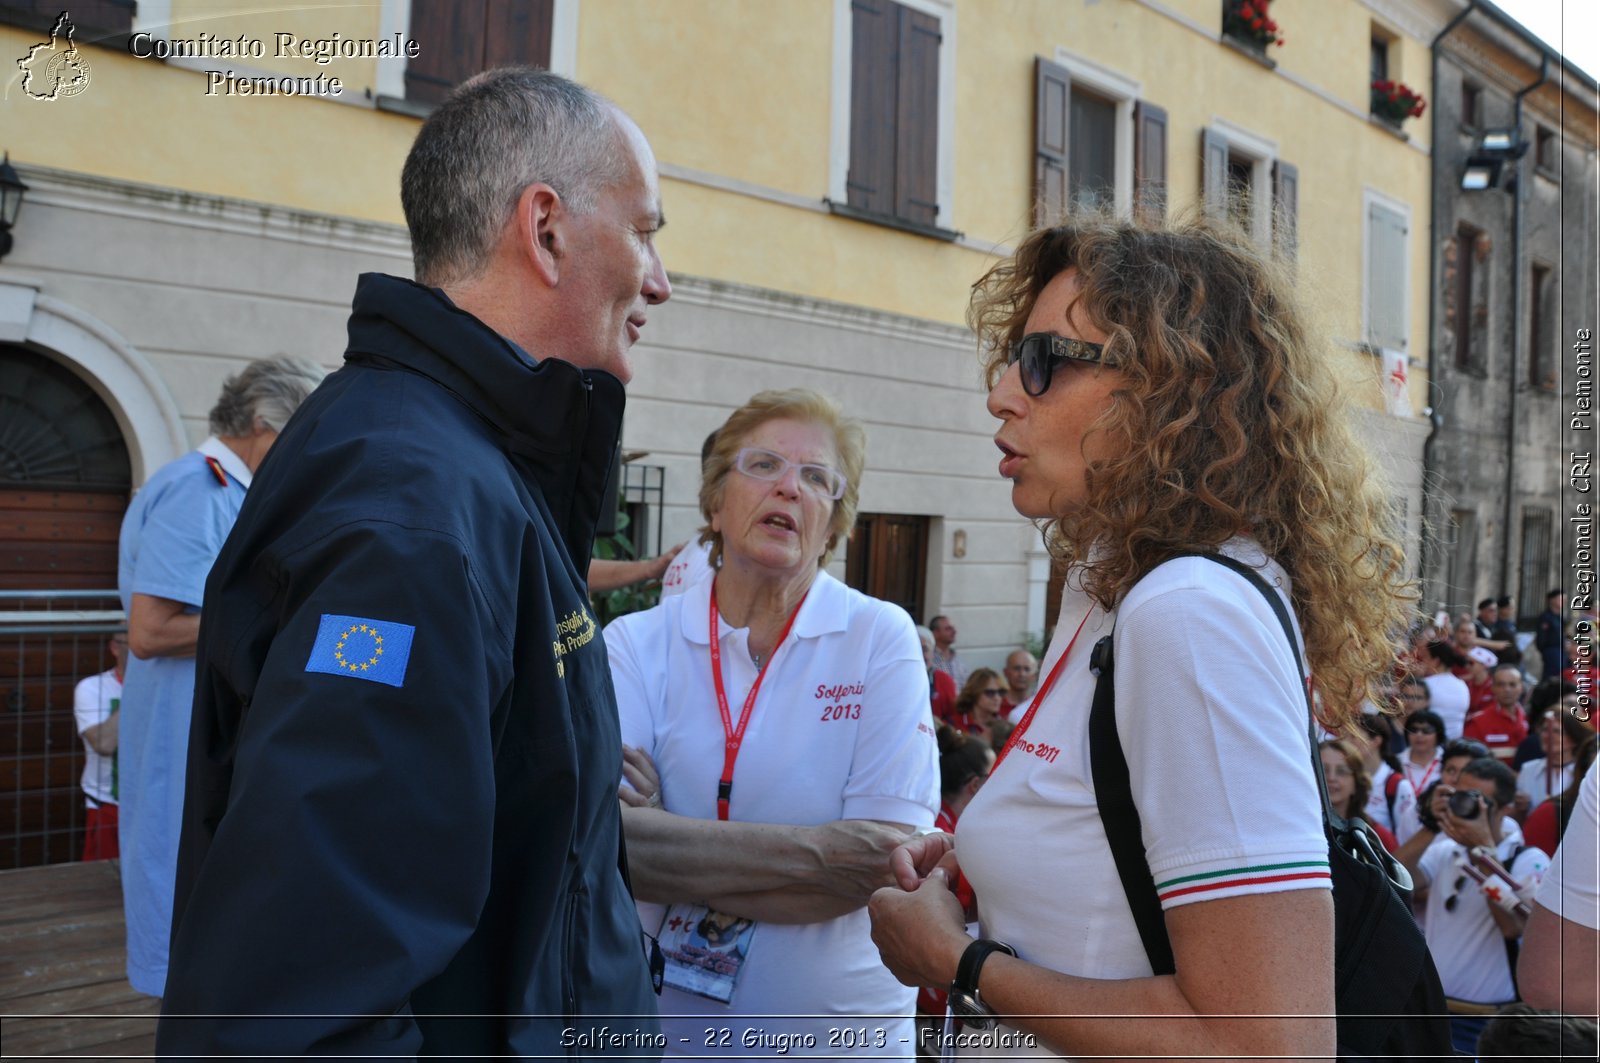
point(65, 486)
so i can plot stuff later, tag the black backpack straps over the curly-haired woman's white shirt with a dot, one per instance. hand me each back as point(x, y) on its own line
point(1114, 788)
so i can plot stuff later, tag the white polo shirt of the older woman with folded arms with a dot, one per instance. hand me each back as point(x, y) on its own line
point(841, 731)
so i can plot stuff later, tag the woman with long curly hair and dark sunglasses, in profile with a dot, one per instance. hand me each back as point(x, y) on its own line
point(1158, 396)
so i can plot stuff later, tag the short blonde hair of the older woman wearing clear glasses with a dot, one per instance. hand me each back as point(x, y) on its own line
point(794, 404)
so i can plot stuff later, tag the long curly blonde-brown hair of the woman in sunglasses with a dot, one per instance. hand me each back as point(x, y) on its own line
point(1234, 425)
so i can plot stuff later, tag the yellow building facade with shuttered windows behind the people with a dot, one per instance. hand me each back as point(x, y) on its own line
point(836, 175)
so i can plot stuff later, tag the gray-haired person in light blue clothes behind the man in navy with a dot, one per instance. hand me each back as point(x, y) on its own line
point(170, 537)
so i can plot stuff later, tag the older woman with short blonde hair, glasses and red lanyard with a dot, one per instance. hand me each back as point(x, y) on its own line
point(778, 747)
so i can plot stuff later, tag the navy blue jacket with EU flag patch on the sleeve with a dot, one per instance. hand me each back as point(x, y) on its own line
point(433, 867)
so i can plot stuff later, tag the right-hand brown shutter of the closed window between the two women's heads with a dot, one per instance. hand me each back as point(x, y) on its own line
point(918, 119)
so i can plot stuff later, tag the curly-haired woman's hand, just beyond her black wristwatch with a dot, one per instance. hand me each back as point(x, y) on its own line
point(921, 934)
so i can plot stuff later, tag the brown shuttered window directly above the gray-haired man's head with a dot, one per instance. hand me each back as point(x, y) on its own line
point(465, 38)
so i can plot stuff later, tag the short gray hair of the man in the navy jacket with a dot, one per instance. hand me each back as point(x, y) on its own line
point(494, 137)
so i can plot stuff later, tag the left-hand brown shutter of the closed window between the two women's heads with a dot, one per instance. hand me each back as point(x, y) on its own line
point(874, 87)
